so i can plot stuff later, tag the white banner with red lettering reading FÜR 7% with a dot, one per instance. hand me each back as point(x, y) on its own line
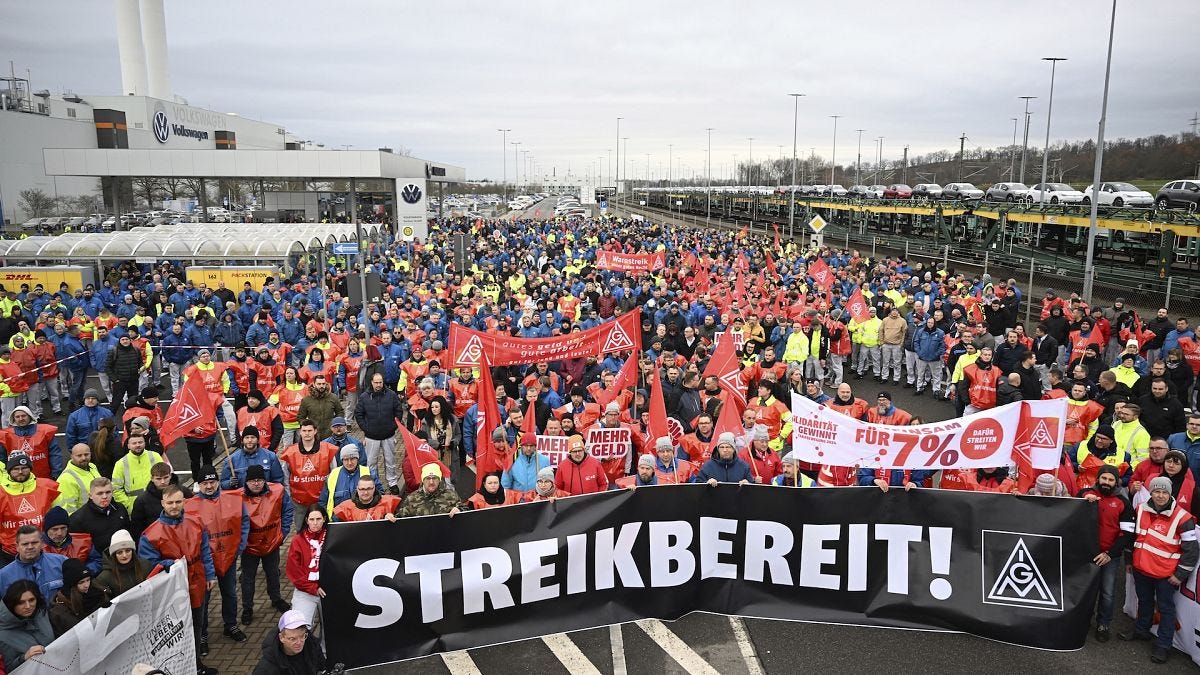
point(823, 435)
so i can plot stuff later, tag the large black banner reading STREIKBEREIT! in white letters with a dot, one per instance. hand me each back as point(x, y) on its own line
point(998, 566)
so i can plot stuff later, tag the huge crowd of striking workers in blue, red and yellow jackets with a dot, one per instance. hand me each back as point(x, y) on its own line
point(322, 405)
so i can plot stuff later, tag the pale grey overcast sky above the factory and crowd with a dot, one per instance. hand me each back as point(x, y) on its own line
point(442, 77)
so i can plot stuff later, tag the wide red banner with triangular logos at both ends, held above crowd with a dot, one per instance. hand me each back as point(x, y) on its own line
point(470, 347)
